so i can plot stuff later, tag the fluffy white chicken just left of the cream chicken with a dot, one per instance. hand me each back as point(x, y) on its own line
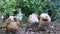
point(33, 19)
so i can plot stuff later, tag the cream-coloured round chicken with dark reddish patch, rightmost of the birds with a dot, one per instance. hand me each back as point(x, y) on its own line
point(45, 20)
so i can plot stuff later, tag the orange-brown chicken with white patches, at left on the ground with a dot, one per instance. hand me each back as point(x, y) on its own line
point(11, 24)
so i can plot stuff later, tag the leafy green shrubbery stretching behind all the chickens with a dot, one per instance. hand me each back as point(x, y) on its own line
point(28, 7)
